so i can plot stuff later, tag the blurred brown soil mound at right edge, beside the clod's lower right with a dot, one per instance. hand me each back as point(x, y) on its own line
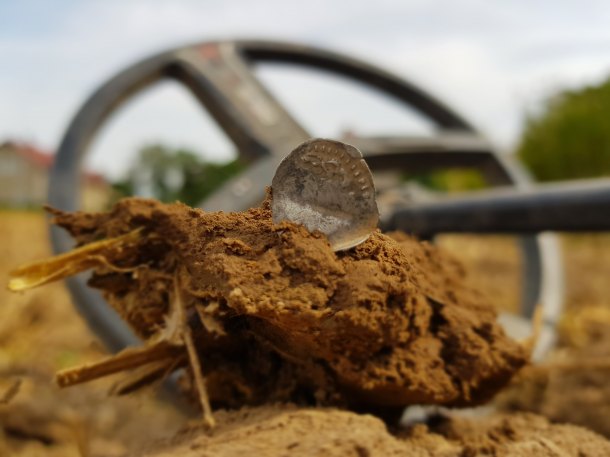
point(572, 385)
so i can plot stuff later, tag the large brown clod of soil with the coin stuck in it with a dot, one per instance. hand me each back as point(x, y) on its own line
point(278, 316)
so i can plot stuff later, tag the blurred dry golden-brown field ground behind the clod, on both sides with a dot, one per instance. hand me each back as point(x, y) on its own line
point(41, 333)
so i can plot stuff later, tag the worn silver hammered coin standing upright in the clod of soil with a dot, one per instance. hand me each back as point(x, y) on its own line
point(326, 185)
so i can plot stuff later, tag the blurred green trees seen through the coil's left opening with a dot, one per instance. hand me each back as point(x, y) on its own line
point(170, 175)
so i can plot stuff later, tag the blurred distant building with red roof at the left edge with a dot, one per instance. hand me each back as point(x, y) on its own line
point(24, 172)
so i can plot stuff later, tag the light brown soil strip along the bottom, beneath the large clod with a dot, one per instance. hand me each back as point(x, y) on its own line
point(287, 430)
